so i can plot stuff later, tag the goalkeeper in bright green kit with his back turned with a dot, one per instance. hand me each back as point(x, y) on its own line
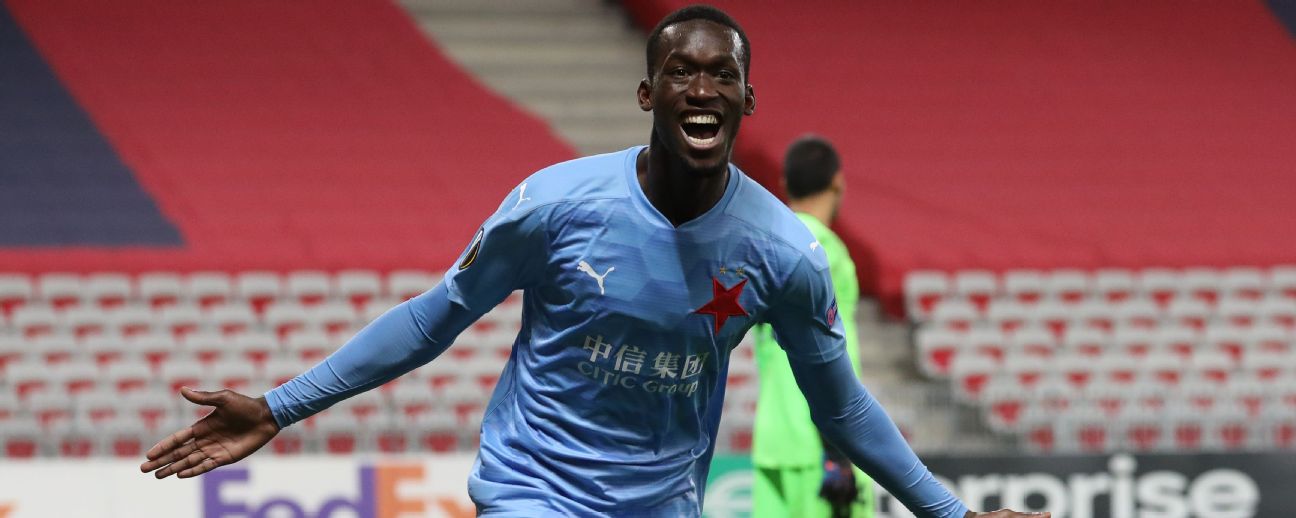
point(796, 477)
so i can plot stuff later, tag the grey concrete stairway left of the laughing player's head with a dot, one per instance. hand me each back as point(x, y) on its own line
point(573, 63)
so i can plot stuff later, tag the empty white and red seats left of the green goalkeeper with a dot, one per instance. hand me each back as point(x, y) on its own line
point(97, 372)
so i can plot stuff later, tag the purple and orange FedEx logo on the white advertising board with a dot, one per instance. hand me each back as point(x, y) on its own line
point(225, 495)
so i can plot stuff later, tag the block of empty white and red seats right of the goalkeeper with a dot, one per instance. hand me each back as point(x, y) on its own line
point(1155, 359)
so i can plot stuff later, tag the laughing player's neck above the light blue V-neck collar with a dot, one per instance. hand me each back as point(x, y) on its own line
point(677, 194)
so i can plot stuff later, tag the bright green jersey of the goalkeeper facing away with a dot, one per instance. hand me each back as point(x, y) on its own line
point(783, 436)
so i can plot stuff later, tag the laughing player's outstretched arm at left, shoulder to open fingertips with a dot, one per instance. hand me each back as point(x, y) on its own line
point(506, 254)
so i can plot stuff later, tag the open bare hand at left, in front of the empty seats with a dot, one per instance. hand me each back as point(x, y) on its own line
point(238, 428)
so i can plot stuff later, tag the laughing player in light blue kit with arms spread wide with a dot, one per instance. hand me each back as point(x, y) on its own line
point(641, 271)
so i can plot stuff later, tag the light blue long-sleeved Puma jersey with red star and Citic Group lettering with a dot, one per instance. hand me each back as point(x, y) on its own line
point(611, 400)
